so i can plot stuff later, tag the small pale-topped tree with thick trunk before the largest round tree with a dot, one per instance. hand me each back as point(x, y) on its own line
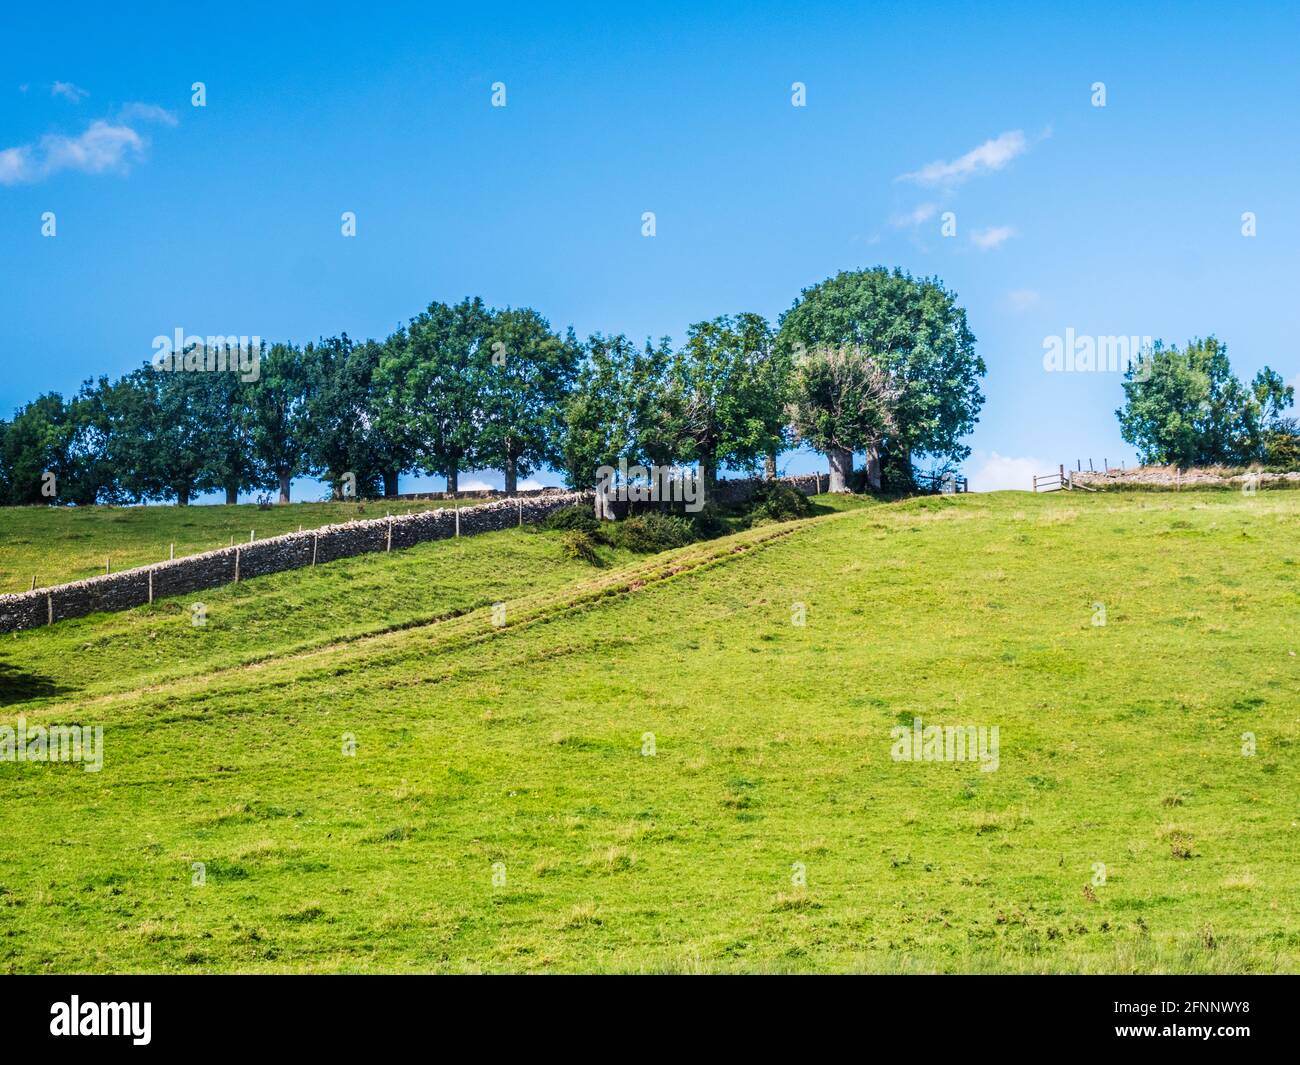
point(842, 401)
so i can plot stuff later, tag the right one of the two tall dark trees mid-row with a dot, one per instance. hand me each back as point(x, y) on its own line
point(530, 374)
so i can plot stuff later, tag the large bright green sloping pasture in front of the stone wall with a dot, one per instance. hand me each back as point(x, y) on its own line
point(652, 768)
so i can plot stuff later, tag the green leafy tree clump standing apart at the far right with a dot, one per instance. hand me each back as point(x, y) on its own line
point(1188, 408)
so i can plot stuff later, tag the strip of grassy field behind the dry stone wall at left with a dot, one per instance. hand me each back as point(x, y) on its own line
point(62, 544)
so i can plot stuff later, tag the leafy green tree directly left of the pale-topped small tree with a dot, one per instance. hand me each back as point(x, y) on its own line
point(729, 393)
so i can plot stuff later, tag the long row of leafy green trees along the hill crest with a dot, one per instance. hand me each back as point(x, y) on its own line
point(872, 362)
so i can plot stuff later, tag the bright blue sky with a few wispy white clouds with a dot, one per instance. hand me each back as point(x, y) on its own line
point(1124, 220)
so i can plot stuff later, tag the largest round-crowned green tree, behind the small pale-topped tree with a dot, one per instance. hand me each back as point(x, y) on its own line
point(918, 336)
